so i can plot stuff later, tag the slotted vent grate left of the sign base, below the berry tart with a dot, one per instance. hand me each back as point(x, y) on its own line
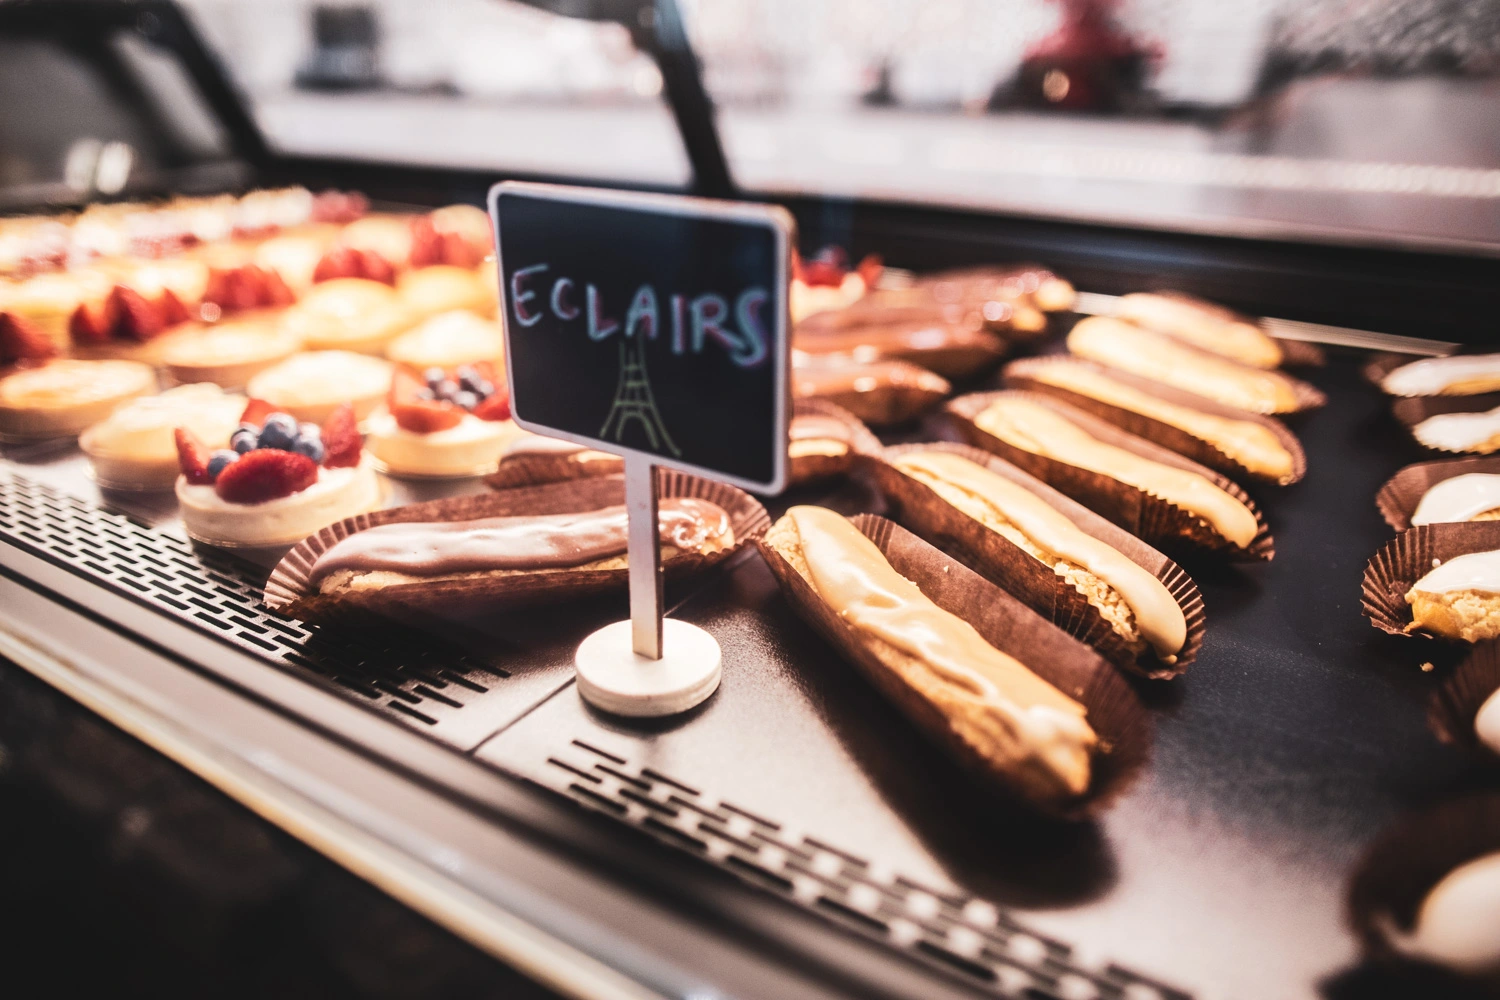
point(412, 677)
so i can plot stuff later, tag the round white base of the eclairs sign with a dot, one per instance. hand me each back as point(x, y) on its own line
point(613, 678)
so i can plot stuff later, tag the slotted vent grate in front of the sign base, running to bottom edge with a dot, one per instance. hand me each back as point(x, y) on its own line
point(967, 936)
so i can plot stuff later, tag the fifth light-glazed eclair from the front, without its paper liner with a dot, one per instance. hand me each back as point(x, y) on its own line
point(1160, 359)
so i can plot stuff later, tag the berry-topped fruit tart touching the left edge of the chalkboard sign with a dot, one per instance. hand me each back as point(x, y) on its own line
point(443, 422)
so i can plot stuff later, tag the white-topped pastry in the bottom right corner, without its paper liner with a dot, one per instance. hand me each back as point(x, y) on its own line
point(1457, 923)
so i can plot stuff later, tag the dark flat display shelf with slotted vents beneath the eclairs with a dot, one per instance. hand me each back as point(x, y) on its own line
point(1222, 873)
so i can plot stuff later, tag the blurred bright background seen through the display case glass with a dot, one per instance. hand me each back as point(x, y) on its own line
point(1357, 121)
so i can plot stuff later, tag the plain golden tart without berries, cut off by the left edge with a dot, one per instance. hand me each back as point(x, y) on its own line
point(62, 398)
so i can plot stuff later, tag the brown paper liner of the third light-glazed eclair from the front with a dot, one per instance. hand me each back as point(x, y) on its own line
point(1150, 518)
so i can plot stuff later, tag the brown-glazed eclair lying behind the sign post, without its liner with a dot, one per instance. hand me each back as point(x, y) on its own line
point(428, 552)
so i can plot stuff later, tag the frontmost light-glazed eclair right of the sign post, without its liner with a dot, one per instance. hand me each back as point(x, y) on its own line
point(854, 579)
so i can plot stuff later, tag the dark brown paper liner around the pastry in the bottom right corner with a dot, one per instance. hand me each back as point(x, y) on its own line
point(1409, 860)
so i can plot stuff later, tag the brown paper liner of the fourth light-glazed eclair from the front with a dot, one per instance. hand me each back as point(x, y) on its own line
point(1019, 376)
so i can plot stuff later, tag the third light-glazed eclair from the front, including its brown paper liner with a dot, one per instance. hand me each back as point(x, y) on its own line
point(1202, 507)
